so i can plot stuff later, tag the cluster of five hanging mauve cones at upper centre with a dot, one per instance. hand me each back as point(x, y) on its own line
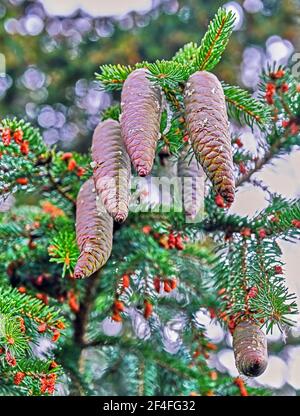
point(105, 197)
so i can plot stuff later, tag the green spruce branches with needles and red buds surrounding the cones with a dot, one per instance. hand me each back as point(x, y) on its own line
point(162, 270)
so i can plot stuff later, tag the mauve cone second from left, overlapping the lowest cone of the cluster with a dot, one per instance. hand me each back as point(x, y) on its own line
point(111, 169)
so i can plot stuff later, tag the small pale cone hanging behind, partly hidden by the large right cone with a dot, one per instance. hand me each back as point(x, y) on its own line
point(193, 183)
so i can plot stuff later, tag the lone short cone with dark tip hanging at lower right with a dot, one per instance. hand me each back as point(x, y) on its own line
point(250, 349)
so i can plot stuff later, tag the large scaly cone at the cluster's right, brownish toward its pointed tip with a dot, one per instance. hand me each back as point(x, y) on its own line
point(207, 124)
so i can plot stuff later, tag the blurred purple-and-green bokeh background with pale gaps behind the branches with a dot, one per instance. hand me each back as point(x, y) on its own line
point(52, 48)
